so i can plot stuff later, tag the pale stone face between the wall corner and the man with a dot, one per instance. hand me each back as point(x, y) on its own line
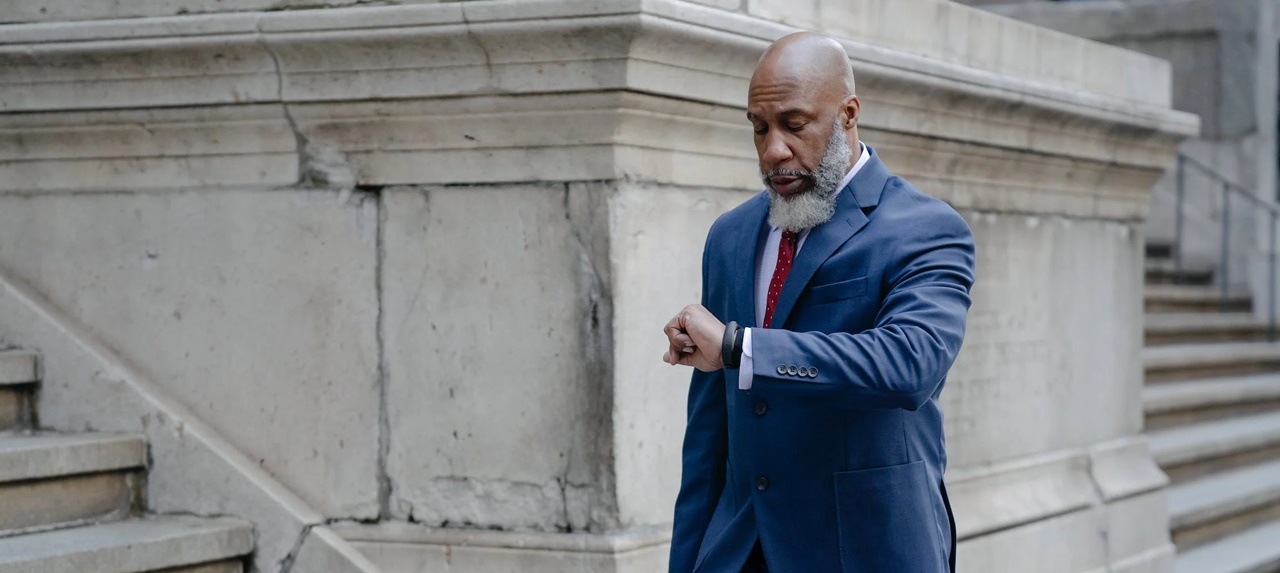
point(656, 247)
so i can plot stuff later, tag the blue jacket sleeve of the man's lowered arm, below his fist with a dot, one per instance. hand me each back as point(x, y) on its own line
point(705, 456)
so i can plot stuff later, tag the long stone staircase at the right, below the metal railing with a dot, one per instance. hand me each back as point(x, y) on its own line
point(1213, 414)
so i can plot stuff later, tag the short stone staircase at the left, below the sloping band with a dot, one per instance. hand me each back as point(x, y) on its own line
point(74, 503)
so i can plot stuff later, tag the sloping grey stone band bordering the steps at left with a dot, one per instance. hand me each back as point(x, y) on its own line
point(193, 469)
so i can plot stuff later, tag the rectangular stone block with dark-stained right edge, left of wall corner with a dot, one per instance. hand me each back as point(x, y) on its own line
point(499, 370)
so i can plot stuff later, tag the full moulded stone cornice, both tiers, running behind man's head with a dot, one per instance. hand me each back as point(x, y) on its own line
point(513, 91)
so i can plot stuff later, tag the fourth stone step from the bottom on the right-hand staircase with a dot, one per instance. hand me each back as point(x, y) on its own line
point(1200, 401)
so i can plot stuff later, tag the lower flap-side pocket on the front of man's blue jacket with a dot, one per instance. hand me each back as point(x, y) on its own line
point(886, 521)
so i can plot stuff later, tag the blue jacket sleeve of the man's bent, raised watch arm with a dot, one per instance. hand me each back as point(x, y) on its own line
point(903, 360)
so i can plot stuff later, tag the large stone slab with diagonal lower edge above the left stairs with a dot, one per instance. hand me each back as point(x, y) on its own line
point(257, 310)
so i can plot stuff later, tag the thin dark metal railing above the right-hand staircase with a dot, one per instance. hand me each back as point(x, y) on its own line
point(1229, 189)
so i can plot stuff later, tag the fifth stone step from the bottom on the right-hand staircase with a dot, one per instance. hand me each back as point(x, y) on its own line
point(1199, 361)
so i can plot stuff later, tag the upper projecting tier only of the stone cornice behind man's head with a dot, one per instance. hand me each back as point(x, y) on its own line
point(519, 48)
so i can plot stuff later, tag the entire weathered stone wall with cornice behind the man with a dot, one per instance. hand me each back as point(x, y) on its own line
point(403, 269)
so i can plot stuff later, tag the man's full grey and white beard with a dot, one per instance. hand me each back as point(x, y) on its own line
point(817, 204)
